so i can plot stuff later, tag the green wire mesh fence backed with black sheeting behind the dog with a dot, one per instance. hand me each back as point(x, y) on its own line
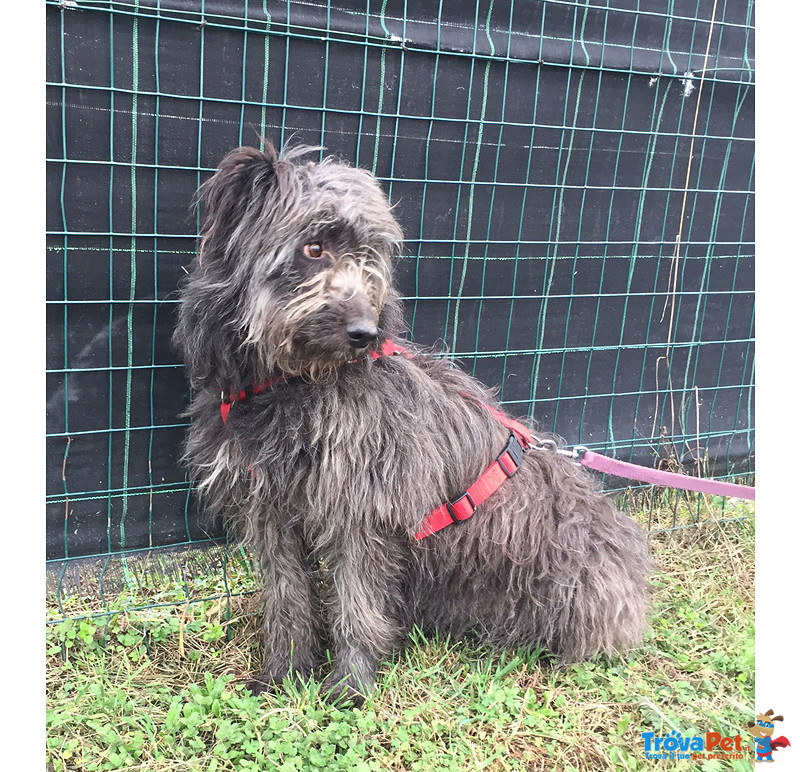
point(574, 179)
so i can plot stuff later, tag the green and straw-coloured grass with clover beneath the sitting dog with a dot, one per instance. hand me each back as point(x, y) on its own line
point(159, 688)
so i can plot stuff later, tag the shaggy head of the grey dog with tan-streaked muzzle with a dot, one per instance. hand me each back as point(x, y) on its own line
point(294, 271)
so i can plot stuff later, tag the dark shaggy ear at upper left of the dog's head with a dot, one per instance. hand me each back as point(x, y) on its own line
point(243, 178)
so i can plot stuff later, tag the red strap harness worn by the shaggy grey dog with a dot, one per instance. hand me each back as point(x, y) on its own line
point(461, 507)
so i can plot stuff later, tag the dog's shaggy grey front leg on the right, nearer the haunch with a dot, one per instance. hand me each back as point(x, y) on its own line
point(369, 618)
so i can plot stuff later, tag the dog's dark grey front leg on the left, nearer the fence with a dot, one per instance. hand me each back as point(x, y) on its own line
point(291, 621)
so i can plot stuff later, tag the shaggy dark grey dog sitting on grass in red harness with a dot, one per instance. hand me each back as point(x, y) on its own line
point(325, 453)
